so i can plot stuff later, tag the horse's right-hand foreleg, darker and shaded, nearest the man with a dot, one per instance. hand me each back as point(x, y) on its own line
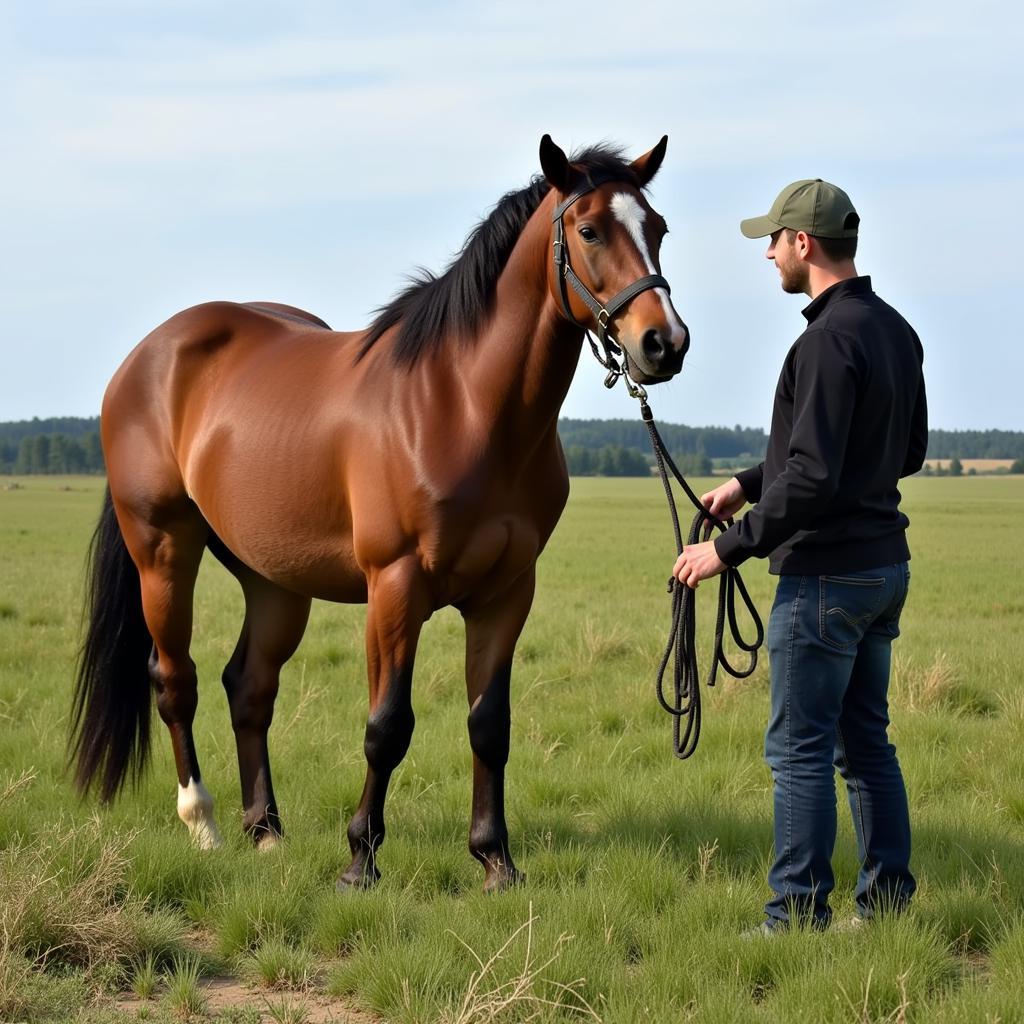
point(492, 633)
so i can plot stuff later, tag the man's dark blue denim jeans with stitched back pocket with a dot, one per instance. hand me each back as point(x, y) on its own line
point(829, 648)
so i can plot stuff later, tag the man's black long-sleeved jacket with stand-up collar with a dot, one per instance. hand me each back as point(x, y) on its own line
point(850, 419)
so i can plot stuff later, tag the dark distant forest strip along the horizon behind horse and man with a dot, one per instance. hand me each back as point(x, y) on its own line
point(593, 448)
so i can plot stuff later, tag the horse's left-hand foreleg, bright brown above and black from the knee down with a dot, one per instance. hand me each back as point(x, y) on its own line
point(398, 607)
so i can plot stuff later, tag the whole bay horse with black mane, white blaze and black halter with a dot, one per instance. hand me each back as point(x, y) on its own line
point(410, 466)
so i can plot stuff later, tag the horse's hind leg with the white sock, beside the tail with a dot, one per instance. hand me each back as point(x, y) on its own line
point(167, 557)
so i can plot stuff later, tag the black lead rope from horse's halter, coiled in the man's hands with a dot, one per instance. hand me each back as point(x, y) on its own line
point(681, 649)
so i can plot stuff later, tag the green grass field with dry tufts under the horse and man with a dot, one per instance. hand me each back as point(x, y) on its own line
point(642, 871)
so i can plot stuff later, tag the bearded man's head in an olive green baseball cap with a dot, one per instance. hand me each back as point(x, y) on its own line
point(814, 230)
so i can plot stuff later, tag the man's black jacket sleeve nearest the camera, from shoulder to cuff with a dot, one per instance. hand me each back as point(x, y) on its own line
point(826, 375)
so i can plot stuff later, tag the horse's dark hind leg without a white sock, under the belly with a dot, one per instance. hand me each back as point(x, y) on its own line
point(275, 623)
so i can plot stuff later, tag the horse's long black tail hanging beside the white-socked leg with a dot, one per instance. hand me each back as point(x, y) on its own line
point(110, 722)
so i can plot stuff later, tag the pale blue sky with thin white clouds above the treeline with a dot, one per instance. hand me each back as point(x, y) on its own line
point(155, 156)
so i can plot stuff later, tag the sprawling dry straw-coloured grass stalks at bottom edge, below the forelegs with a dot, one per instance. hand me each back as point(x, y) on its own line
point(528, 997)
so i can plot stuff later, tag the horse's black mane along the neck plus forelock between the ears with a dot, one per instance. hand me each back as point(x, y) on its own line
point(433, 311)
